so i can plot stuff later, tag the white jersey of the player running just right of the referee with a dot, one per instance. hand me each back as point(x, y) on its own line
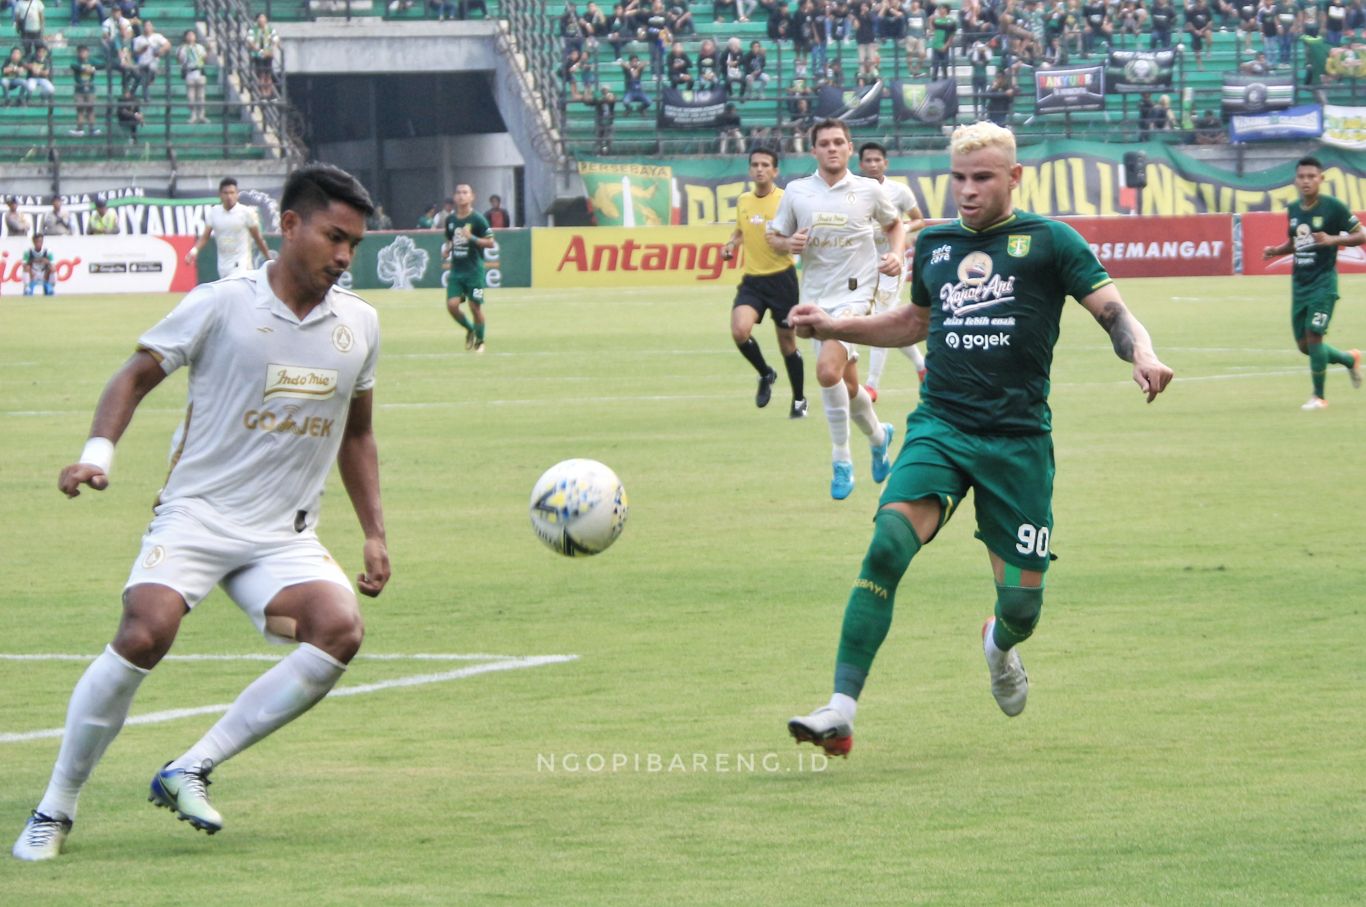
point(839, 264)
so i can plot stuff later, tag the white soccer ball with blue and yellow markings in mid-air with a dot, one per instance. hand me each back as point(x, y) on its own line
point(579, 507)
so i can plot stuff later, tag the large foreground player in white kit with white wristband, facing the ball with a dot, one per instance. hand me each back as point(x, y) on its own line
point(282, 368)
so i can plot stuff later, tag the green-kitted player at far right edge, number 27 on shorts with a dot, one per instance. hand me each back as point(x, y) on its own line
point(1319, 227)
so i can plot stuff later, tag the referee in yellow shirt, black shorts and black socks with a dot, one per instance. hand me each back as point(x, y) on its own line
point(770, 283)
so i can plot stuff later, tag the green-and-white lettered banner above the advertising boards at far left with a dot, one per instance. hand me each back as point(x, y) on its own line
point(148, 215)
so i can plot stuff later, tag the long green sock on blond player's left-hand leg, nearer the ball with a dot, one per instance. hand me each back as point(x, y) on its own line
point(869, 613)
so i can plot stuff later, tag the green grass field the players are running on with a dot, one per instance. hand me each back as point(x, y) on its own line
point(1195, 733)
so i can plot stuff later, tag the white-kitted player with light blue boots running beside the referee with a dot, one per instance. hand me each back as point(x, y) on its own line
point(830, 219)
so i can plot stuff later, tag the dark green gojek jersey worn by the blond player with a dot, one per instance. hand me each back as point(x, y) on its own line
point(996, 300)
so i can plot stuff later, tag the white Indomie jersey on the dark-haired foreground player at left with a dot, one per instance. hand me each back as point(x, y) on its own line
point(270, 398)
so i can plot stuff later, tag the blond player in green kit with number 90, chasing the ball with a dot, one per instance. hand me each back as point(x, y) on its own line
point(988, 293)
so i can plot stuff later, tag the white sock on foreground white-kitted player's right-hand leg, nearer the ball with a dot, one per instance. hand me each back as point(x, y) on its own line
point(274, 700)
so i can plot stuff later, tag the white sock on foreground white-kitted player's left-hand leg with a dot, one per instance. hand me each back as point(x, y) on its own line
point(99, 707)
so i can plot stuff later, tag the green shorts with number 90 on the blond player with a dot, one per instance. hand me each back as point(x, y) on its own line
point(1010, 475)
